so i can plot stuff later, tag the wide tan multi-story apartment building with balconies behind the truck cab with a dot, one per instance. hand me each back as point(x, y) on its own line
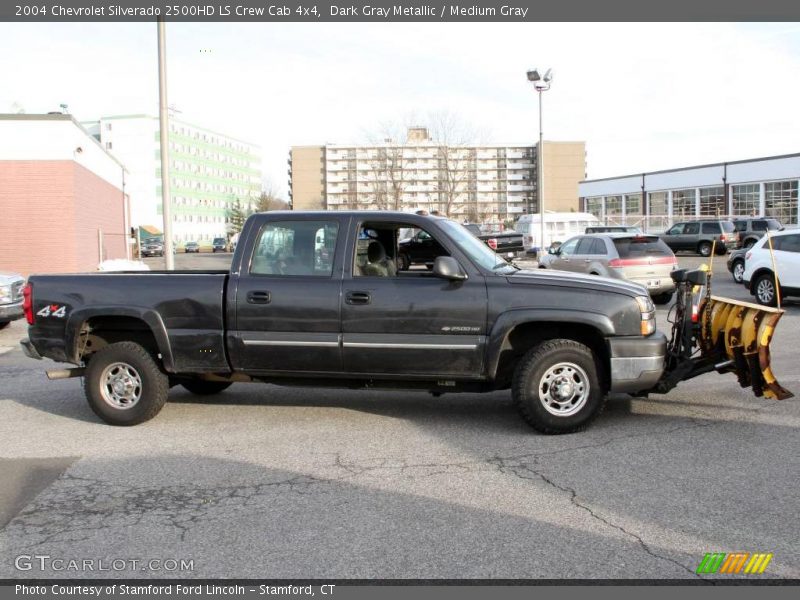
point(474, 182)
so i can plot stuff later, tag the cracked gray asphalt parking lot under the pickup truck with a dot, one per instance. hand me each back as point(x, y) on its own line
point(273, 482)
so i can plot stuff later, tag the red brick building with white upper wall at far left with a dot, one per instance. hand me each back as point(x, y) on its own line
point(62, 202)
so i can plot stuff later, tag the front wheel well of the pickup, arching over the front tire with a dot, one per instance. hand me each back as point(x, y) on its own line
point(527, 335)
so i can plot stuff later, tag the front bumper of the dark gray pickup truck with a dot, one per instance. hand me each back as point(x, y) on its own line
point(637, 363)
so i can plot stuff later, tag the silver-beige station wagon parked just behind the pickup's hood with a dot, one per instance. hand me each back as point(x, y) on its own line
point(642, 259)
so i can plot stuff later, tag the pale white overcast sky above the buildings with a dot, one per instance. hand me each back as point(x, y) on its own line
point(642, 96)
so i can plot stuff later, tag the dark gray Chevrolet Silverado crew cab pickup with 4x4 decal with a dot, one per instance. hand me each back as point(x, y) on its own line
point(316, 299)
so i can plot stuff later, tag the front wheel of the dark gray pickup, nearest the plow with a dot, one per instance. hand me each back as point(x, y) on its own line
point(558, 359)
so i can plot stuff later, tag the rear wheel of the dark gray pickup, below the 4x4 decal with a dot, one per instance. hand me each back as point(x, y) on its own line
point(107, 403)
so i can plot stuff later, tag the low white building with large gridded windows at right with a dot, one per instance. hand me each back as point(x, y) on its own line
point(747, 188)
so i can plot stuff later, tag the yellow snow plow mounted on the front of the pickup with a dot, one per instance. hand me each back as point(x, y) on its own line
point(710, 333)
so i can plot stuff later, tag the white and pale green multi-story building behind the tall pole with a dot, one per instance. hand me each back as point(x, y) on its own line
point(209, 173)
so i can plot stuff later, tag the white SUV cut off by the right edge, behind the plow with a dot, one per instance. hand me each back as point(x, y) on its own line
point(759, 274)
